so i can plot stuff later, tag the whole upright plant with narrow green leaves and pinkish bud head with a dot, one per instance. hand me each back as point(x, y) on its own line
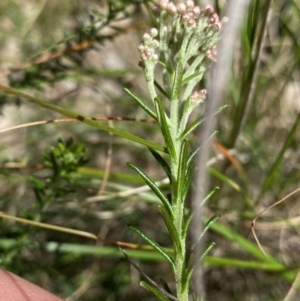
point(182, 46)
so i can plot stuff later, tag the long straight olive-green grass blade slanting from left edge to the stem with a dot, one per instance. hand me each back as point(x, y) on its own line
point(81, 118)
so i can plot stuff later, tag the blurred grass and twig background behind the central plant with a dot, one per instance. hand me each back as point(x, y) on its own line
point(79, 55)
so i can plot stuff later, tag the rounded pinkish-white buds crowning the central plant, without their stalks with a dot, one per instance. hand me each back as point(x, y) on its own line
point(175, 21)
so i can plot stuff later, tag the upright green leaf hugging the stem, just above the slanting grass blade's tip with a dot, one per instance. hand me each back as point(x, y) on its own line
point(165, 127)
